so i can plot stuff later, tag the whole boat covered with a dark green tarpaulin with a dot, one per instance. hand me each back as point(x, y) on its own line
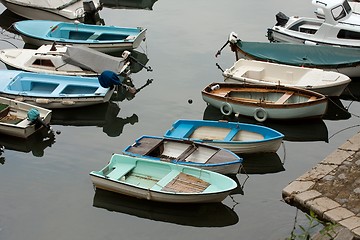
point(345, 60)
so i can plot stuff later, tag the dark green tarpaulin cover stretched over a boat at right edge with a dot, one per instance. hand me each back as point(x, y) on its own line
point(301, 54)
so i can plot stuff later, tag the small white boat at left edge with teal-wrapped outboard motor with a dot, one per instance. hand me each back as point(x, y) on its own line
point(21, 119)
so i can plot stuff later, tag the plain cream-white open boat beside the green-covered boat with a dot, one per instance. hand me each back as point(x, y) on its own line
point(328, 83)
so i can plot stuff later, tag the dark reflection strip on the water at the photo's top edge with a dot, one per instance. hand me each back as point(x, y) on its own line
point(129, 4)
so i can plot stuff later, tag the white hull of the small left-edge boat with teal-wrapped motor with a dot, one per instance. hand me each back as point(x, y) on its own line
point(22, 129)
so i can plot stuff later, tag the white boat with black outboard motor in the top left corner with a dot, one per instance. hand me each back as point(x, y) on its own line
point(59, 10)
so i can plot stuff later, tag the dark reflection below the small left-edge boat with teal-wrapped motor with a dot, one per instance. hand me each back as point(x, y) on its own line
point(36, 143)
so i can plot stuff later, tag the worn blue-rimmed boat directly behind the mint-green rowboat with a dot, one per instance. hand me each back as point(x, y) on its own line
point(185, 152)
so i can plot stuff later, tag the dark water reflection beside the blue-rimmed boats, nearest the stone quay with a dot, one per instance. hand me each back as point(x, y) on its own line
point(262, 163)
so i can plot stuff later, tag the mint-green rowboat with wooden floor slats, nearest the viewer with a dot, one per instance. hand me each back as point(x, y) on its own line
point(162, 181)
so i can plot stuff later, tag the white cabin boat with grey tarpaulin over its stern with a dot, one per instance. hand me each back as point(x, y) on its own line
point(64, 60)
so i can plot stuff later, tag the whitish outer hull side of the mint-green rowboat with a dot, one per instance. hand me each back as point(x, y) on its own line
point(125, 189)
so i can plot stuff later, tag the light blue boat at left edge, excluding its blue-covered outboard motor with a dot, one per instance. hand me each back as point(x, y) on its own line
point(52, 91)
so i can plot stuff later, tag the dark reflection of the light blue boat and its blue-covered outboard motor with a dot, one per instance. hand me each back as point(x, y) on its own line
point(102, 115)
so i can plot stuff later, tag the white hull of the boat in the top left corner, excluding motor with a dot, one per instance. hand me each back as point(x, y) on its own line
point(73, 12)
